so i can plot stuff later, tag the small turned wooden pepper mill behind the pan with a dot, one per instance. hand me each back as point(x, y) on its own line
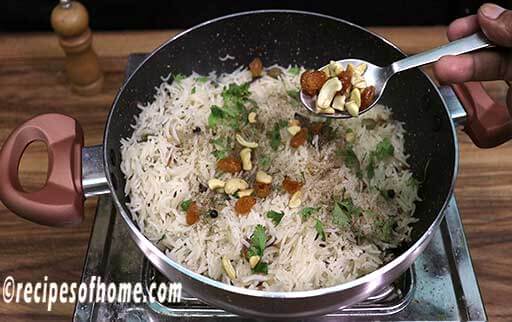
point(70, 21)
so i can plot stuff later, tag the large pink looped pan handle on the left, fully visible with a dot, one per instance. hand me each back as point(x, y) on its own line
point(60, 201)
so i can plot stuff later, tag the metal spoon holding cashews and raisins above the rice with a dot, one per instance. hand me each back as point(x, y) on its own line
point(379, 76)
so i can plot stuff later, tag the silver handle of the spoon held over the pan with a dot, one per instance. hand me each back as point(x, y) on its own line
point(464, 45)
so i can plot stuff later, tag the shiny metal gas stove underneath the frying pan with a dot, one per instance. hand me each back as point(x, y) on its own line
point(440, 286)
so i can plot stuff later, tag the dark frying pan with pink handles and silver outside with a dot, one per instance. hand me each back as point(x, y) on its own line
point(280, 37)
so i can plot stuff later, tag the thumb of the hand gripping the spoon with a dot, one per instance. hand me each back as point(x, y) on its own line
point(496, 23)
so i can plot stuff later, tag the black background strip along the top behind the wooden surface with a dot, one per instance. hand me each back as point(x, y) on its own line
point(30, 15)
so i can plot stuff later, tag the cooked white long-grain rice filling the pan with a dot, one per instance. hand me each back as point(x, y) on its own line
point(298, 259)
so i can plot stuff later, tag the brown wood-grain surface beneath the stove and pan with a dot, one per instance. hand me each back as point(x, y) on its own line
point(32, 82)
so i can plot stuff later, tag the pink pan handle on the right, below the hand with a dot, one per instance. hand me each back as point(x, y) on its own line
point(488, 122)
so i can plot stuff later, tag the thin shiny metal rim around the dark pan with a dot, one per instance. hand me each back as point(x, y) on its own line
point(365, 279)
